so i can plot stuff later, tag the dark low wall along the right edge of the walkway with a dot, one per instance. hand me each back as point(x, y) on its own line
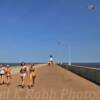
point(92, 74)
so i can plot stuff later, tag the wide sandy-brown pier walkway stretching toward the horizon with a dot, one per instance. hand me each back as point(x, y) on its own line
point(52, 83)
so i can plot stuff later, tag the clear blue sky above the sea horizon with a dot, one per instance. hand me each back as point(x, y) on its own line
point(30, 30)
